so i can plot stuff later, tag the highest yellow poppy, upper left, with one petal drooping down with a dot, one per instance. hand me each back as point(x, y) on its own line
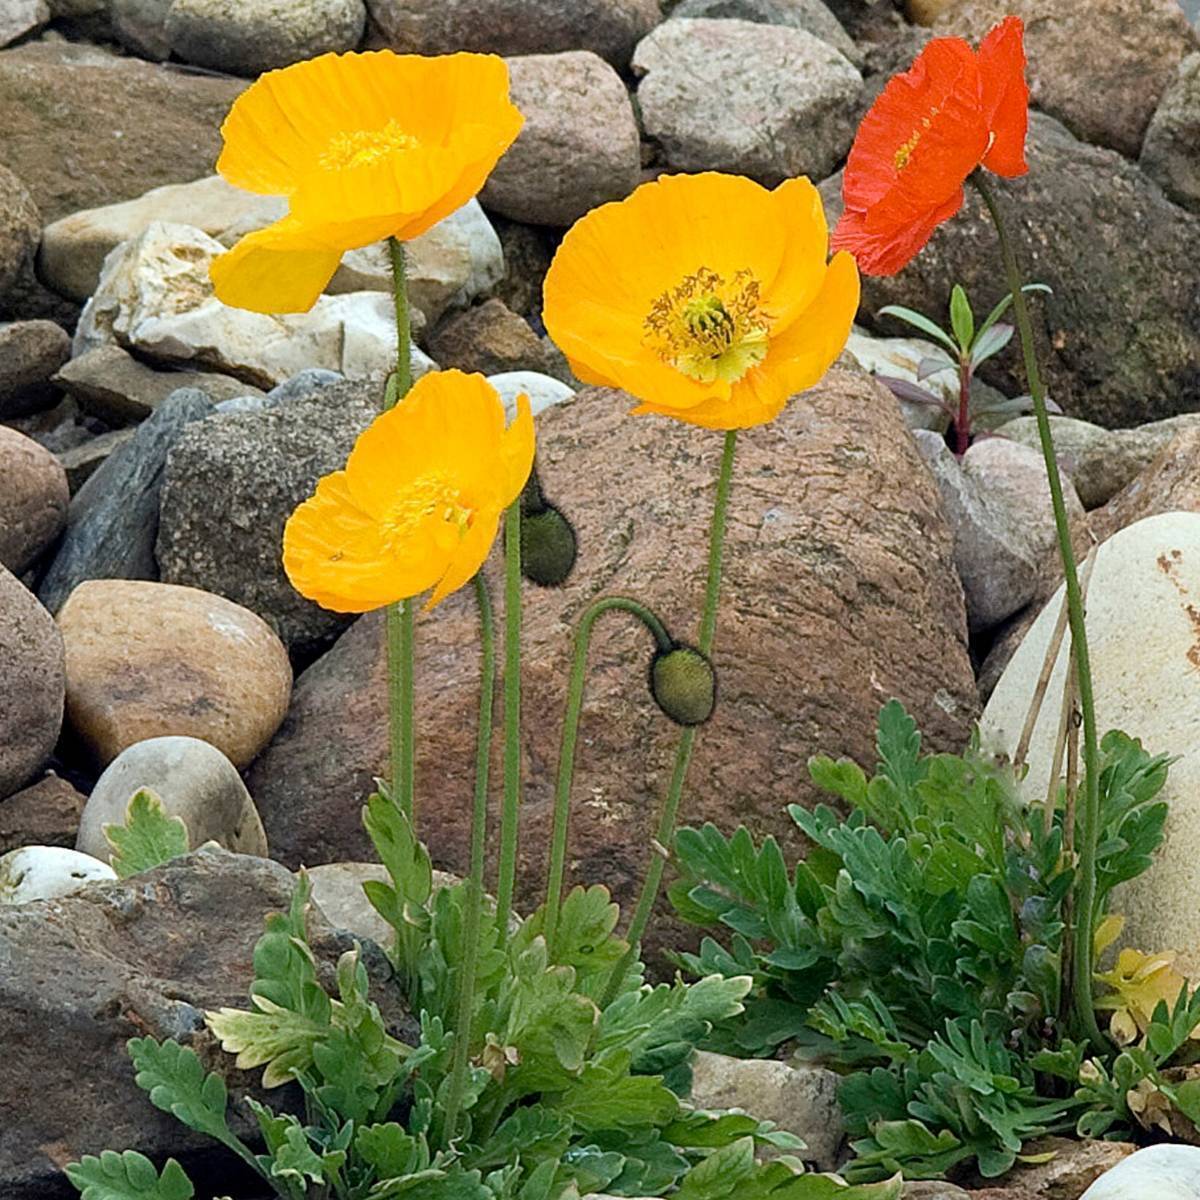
point(365, 147)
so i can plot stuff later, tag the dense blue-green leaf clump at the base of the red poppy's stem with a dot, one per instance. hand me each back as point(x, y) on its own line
point(919, 946)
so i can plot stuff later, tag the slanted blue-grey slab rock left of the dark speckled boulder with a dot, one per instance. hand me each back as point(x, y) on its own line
point(113, 519)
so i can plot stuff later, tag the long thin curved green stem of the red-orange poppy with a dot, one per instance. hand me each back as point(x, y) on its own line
point(1090, 812)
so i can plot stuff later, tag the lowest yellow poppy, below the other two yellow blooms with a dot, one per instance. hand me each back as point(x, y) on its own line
point(419, 502)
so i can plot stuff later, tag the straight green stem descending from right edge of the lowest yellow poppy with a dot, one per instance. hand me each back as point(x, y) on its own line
point(512, 813)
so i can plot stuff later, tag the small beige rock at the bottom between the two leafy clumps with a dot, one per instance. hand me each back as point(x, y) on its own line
point(801, 1100)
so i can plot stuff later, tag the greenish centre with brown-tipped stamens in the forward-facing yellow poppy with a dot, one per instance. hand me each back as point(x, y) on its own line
point(710, 328)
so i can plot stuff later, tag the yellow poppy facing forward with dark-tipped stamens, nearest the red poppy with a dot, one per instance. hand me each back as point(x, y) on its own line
point(707, 297)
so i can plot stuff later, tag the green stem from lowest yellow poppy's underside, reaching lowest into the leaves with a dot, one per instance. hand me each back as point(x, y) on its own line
point(476, 878)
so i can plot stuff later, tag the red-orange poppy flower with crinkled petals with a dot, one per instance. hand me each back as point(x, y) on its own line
point(951, 112)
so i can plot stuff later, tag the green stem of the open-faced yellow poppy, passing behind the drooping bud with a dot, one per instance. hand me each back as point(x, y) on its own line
point(665, 832)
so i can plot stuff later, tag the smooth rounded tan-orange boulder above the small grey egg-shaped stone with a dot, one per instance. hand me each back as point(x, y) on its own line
point(148, 661)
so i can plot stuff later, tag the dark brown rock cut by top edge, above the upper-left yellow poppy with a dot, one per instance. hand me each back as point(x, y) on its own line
point(609, 28)
